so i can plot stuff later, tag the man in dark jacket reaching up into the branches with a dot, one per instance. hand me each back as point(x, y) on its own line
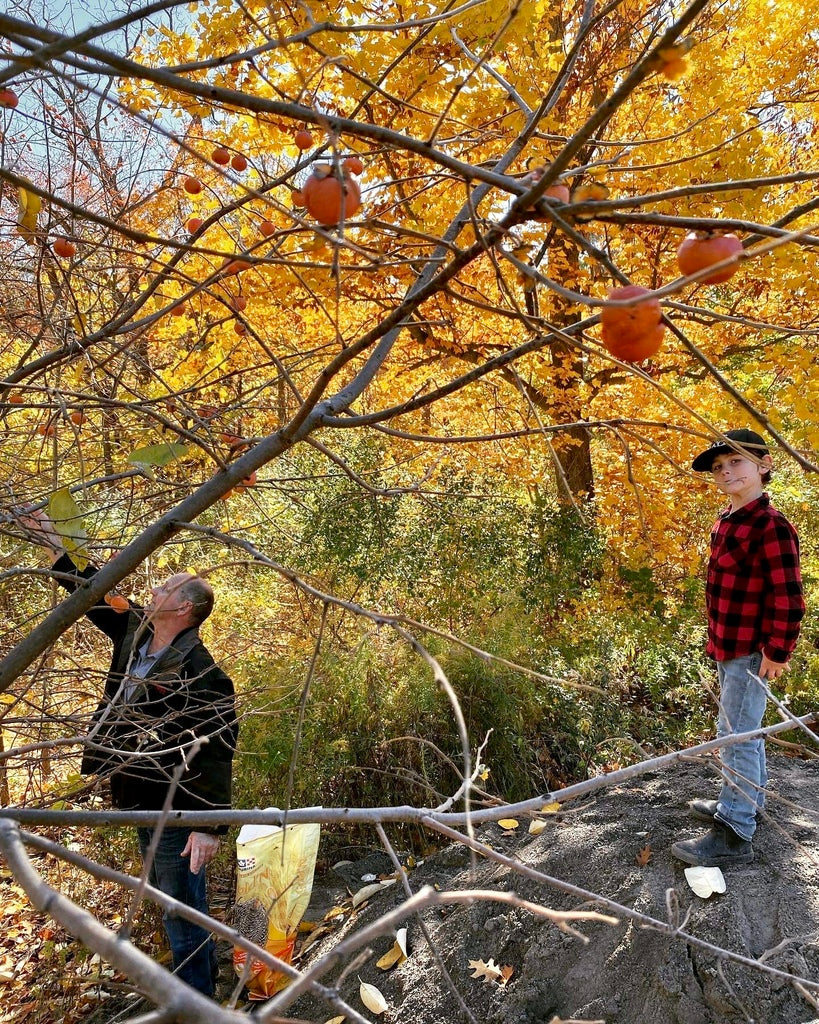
point(166, 722)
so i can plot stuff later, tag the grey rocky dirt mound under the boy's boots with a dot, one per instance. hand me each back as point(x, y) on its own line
point(626, 974)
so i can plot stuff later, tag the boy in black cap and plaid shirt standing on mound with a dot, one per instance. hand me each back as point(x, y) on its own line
point(755, 605)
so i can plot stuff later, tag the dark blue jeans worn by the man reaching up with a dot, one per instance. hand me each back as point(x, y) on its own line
point(193, 948)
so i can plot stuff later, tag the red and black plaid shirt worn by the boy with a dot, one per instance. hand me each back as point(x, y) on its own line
point(754, 588)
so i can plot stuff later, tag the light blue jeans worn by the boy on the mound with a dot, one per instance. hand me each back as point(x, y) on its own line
point(743, 704)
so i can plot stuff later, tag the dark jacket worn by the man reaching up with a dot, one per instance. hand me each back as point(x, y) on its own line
point(141, 742)
